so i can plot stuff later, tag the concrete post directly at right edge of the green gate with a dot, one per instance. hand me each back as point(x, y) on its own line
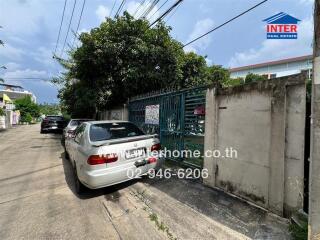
point(210, 136)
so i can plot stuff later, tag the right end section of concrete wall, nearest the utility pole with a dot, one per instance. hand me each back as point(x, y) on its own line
point(295, 145)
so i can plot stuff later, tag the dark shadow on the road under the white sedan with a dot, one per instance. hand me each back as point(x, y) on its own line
point(89, 193)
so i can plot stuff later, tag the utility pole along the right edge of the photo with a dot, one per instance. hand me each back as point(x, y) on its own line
point(314, 178)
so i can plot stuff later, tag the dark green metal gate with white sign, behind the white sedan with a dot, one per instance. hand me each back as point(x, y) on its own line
point(180, 124)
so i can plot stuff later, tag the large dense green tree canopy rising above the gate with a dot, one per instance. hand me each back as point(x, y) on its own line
point(124, 57)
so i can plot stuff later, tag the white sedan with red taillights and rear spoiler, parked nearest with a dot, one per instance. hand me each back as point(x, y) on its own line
point(105, 153)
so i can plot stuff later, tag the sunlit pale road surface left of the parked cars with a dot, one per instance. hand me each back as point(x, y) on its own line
point(37, 200)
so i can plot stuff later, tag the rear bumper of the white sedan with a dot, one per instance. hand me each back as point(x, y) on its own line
point(114, 175)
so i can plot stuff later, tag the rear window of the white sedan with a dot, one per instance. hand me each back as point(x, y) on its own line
point(108, 131)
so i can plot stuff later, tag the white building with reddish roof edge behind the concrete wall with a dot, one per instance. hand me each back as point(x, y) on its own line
point(273, 69)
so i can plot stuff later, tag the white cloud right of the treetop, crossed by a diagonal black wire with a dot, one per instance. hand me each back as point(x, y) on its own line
point(201, 27)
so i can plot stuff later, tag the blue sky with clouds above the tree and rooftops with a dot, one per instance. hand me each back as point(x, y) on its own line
point(30, 30)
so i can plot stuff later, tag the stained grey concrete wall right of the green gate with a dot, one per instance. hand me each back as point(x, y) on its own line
point(264, 122)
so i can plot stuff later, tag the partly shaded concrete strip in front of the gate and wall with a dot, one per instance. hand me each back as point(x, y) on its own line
point(190, 210)
